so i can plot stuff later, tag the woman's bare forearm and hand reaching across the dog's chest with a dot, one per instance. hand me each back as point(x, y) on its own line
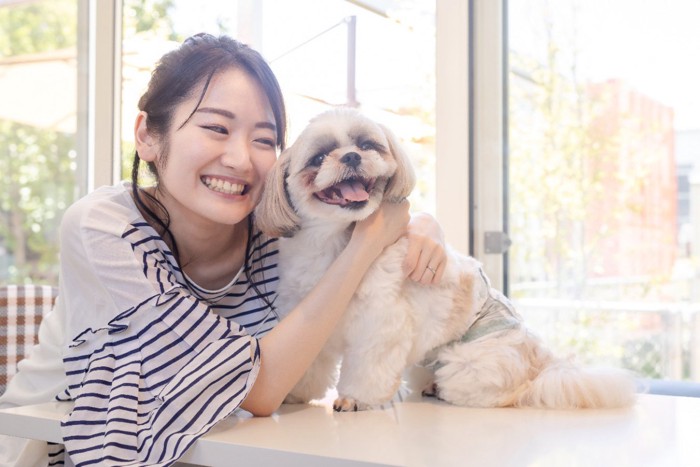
point(288, 350)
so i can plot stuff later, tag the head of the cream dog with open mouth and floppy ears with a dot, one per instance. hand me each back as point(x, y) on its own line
point(340, 168)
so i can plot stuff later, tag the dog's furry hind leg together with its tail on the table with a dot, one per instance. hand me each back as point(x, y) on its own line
point(514, 369)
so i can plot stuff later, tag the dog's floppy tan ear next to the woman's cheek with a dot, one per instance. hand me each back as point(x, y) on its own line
point(275, 215)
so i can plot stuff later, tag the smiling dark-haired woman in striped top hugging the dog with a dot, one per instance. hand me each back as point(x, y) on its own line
point(165, 321)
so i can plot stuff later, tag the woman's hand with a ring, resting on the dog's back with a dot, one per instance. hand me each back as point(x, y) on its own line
point(426, 257)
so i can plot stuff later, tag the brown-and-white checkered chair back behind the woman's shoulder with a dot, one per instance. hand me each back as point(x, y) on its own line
point(21, 309)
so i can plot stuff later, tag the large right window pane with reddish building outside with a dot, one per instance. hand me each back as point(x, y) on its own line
point(604, 198)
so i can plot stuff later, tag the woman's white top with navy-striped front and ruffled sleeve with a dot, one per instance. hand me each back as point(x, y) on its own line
point(153, 360)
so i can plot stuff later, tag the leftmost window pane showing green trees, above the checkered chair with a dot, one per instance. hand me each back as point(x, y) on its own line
point(38, 163)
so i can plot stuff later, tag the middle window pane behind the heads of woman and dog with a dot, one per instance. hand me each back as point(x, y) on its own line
point(309, 47)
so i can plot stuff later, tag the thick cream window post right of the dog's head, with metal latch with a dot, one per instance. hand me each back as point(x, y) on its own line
point(471, 176)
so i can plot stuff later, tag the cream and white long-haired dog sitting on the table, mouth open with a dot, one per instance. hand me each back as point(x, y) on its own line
point(339, 170)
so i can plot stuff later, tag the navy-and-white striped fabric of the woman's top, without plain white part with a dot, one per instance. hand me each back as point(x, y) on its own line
point(161, 374)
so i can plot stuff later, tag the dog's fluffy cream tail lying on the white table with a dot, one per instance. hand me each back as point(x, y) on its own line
point(564, 385)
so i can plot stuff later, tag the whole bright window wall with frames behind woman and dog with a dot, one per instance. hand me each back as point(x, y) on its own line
point(595, 120)
